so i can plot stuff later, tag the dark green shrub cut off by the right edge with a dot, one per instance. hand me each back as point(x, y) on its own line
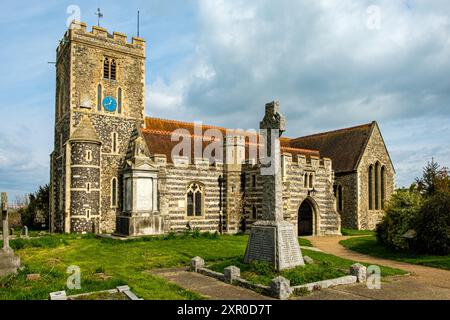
point(433, 226)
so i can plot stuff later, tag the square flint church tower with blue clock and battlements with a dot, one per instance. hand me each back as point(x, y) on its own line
point(99, 101)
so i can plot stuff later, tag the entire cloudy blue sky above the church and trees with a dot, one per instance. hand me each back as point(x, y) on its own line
point(331, 64)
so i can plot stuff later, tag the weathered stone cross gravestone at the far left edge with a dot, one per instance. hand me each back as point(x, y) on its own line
point(8, 261)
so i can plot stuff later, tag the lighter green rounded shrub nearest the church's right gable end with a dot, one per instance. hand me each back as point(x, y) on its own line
point(401, 216)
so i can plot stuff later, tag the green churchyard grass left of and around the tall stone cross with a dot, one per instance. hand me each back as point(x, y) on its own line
point(107, 263)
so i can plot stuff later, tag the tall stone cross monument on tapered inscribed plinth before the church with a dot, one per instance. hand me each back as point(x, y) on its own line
point(273, 239)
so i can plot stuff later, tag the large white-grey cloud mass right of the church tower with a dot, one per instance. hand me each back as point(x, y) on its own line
point(321, 61)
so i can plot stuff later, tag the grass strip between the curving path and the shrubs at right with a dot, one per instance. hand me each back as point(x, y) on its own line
point(370, 246)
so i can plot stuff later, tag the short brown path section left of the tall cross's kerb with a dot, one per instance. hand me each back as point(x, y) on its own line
point(206, 286)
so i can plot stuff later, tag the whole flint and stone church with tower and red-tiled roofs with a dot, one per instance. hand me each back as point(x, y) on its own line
point(114, 170)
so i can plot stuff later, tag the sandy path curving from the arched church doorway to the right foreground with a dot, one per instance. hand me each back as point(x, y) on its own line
point(423, 283)
